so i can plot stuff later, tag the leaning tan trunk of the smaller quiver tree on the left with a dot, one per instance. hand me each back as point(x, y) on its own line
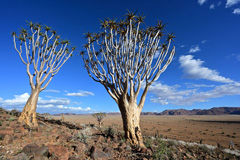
point(28, 114)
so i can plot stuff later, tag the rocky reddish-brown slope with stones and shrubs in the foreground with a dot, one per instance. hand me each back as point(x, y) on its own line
point(59, 140)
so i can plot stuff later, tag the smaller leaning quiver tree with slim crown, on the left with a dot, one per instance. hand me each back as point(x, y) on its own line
point(44, 55)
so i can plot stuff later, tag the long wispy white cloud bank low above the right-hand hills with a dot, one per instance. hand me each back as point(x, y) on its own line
point(164, 94)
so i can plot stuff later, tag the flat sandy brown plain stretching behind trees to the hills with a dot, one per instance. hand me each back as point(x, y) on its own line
point(210, 129)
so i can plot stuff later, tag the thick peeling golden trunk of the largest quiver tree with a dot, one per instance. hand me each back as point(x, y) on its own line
point(131, 123)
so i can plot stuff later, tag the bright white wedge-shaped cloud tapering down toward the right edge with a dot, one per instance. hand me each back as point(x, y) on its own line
point(193, 69)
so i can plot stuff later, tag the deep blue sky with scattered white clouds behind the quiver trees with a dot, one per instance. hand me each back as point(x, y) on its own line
point(203, 74)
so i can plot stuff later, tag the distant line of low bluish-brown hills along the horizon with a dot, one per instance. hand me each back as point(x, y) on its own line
point(212, 111)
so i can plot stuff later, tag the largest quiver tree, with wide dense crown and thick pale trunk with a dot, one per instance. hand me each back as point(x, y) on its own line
point(124, 58)
